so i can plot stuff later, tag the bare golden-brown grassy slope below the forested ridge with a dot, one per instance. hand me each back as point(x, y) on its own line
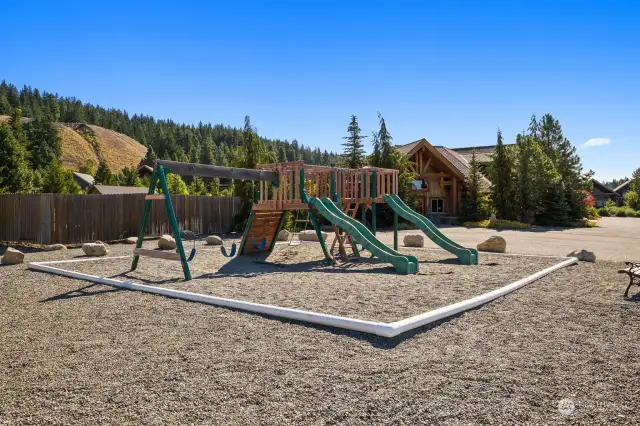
point(82, 142)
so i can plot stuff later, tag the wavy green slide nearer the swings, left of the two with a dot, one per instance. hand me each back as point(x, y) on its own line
point(404, 264)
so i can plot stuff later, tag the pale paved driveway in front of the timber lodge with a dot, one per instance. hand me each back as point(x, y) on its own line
point(614, 239)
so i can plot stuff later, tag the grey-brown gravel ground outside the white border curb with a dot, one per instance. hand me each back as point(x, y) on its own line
point(563, 350)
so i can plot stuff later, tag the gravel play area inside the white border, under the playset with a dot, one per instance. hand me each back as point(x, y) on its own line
point(297, 278)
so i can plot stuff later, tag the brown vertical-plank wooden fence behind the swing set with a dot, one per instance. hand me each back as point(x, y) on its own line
point(68, 219)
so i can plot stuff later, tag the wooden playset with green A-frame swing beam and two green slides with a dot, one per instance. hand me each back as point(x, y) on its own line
point(334, 193)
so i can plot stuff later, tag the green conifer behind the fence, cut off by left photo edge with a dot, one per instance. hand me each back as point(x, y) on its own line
point(14, 170)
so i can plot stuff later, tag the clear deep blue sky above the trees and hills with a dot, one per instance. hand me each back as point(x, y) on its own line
point(449, 71)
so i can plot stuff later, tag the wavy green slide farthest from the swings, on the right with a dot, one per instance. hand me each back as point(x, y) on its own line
point(467, 256)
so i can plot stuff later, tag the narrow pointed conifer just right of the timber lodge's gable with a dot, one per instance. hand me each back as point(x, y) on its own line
point(501, 177)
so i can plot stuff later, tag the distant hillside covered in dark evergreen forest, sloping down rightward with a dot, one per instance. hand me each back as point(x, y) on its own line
point(204, 143)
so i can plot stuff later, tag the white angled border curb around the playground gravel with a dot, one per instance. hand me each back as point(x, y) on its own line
point(378, 328)
